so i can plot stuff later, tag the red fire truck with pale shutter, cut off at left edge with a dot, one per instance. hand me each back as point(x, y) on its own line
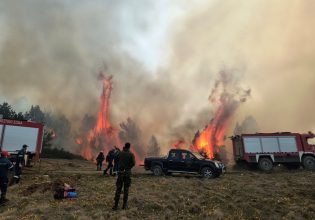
point(14, 134)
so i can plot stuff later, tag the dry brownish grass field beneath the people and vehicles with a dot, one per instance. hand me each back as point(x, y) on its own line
point(239, 194)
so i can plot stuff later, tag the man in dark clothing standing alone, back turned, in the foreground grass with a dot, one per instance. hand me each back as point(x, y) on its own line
point(126, 162)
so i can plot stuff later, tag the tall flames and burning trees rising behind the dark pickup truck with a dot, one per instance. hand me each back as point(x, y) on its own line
point(225, 97)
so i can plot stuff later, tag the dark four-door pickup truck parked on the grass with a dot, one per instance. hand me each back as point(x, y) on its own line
point(184, 161)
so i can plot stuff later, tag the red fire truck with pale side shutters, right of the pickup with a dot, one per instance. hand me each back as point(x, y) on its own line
point(269, 149)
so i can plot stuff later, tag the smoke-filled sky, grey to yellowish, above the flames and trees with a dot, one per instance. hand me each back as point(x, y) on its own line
point(164, 58)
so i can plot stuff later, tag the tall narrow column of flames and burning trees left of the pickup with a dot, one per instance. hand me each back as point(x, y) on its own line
point(104, 135)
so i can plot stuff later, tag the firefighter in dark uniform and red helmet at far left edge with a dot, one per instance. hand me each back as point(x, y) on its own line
point(5, 165)
